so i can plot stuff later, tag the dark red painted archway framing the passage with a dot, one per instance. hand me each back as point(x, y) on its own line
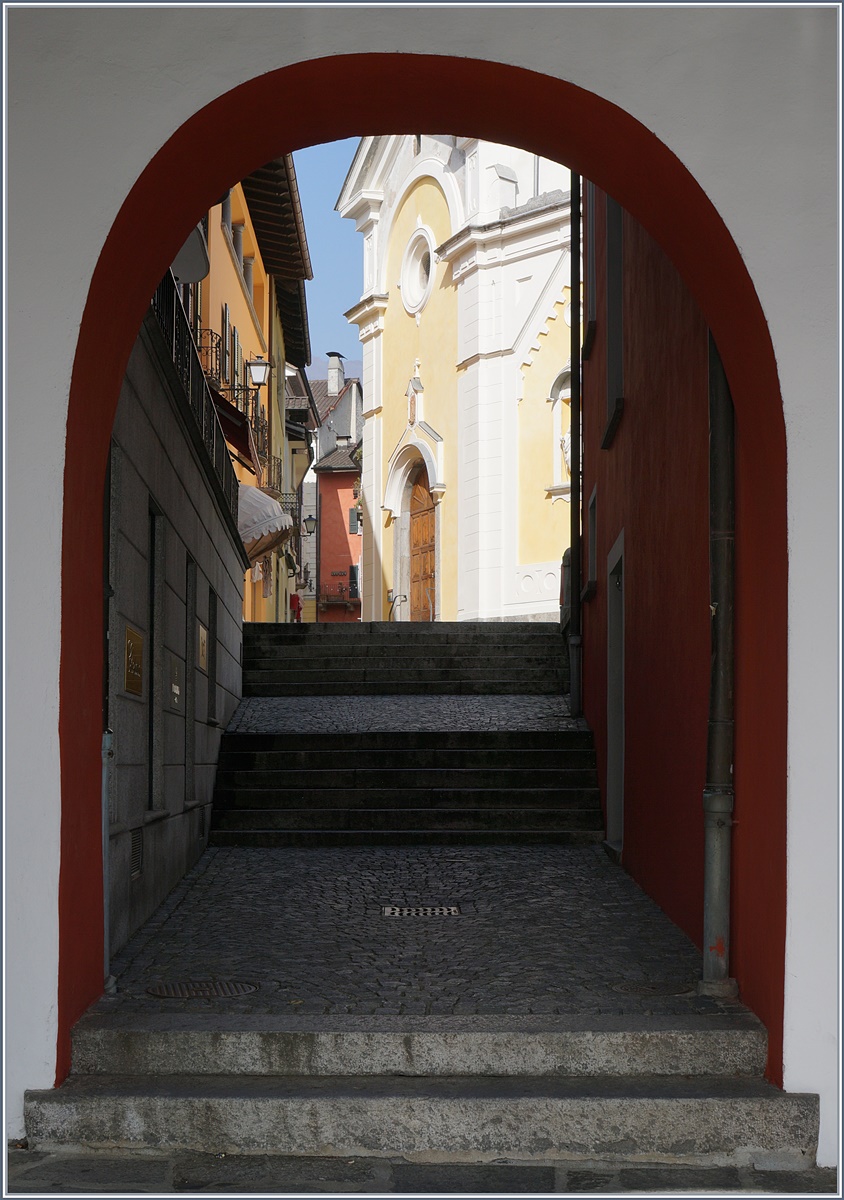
point(324, 100)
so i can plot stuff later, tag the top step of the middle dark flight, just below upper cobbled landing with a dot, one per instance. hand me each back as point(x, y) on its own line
point(492, 741)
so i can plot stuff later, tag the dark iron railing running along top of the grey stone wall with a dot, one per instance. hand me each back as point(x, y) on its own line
point(171, 316)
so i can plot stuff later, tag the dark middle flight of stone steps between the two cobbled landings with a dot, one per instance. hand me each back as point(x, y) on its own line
point(408, 789)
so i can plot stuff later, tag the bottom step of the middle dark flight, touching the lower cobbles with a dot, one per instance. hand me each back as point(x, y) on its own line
point(316, 839)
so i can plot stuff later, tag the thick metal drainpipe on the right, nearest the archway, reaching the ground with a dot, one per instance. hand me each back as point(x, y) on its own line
point(719, 793)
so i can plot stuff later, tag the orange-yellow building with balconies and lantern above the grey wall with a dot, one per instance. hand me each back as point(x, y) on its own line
point(248, 310)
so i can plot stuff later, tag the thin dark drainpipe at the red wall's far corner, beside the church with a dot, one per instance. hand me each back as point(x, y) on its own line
point(576, 641)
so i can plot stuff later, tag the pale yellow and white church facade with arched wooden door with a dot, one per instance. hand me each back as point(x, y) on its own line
point(465, 323)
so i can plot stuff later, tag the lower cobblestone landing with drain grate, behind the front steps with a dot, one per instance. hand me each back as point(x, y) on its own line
point(542, 931)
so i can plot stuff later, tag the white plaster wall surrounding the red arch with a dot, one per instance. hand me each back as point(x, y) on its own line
point(745, 97)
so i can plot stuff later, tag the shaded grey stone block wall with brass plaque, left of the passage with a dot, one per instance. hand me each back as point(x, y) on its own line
point(170, 553)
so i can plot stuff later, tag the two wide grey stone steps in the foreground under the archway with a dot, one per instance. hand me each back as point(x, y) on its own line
point(683, 1091)
